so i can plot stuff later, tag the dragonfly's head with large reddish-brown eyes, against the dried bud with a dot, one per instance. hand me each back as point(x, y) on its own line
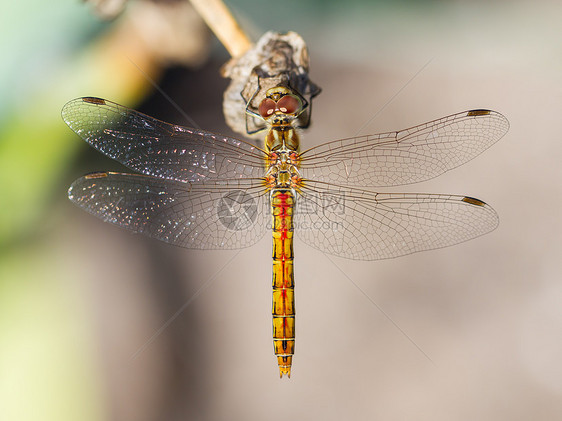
point(280, 106)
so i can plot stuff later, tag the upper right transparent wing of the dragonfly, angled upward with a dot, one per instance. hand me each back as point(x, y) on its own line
point(406, 156)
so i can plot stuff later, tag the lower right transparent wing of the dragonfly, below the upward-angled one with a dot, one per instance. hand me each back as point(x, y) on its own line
point(365, 225)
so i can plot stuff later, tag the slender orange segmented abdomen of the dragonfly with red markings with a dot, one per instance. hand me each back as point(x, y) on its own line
point(282, 205)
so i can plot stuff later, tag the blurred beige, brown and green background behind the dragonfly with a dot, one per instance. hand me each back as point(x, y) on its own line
point(467, 332)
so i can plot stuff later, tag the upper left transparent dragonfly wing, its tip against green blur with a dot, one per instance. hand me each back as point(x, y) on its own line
point(153, 147)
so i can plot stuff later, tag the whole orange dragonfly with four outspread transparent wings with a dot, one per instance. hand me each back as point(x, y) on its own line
point(200, 190)
